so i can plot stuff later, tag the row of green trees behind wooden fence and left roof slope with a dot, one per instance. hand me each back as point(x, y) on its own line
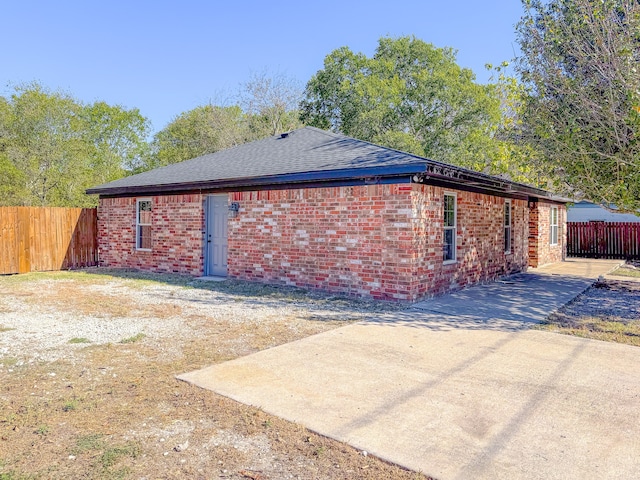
point(53, 147)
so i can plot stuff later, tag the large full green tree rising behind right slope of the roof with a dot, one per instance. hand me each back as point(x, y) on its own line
point(411, 96)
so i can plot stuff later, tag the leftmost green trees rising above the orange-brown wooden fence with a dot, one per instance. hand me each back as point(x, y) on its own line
point(53, 147)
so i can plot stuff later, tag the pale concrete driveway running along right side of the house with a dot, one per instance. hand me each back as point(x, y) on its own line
point(460, 389)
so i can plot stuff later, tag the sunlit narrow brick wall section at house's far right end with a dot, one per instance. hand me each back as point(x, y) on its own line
point(541, 252)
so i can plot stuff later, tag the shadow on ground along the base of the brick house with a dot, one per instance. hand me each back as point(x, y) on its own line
point(511, 304)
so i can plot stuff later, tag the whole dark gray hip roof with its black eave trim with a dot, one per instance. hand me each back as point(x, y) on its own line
point(310, 157)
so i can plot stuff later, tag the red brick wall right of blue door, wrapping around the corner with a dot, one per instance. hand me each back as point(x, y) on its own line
point(381, 241)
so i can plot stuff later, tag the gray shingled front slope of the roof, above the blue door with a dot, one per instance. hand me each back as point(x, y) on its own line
point(301, 151)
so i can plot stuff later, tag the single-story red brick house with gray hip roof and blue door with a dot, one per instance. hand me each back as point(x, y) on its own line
point(320, 210)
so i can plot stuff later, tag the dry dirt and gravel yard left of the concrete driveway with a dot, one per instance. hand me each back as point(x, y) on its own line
point(87, 387)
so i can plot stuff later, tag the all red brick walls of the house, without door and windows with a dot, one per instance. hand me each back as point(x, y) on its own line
point(379, 241)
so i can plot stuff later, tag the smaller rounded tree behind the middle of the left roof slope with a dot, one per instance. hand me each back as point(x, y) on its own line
point(205, 129)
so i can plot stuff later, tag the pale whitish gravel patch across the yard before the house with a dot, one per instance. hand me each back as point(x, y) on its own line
point(41, 331)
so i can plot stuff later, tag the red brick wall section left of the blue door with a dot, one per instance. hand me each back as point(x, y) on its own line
point(176, 234)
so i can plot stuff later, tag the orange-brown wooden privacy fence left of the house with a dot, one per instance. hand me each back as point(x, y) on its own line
point(34, 239)
